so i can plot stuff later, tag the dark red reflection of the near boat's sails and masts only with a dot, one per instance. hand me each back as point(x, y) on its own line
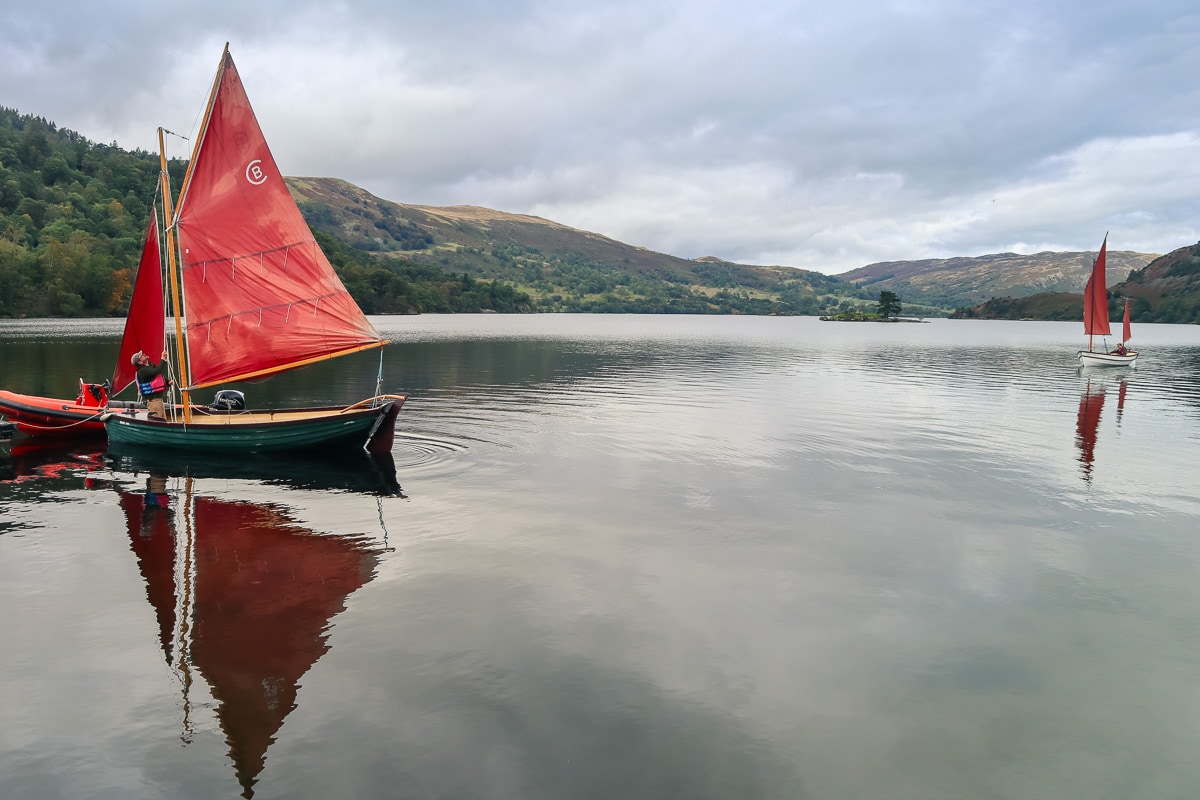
point(244, 598)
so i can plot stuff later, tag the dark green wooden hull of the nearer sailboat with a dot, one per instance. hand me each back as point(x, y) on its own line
point(249, 434)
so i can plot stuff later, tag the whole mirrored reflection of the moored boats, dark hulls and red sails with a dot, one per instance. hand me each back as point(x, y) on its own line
point(244, 596)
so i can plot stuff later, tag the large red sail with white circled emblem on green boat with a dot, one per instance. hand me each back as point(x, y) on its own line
point(260, 296)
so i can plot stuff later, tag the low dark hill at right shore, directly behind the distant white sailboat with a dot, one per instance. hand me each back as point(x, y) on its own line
point(1166, 291)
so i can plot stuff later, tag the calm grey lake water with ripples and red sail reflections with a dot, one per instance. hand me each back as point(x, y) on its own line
point(633, 557)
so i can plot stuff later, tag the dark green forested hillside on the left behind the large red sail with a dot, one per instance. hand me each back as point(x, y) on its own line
point(74, 216)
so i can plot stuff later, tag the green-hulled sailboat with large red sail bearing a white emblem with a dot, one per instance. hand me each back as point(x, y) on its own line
point(251, 296)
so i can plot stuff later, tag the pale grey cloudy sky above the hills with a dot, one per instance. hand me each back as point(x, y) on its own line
point(825, 136)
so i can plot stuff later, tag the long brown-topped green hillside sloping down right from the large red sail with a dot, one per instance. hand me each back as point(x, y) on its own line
point(562, 268)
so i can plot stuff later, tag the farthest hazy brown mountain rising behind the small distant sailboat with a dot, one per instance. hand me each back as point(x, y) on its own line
point(968, 281)
